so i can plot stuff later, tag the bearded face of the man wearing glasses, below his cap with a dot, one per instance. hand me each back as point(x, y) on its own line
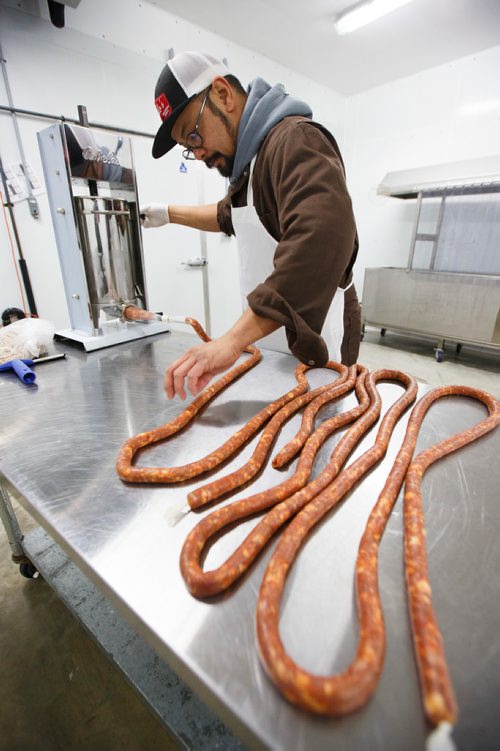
point(215, 128)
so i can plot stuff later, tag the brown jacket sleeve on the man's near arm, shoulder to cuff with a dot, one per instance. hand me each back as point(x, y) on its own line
point(317, 236)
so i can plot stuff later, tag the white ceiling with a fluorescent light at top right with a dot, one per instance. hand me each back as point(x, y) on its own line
point(300, 35)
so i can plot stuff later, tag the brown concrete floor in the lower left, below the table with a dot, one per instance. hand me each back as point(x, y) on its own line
point(58, 690)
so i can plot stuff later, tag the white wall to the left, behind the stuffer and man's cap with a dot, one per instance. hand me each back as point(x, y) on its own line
point(108, 58)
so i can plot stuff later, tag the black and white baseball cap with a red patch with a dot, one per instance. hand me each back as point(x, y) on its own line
point(182, 78)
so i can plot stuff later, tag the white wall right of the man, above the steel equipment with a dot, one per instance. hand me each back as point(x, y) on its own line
point(447, 113)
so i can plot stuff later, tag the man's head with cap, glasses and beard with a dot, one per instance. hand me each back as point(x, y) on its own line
point(200, 104)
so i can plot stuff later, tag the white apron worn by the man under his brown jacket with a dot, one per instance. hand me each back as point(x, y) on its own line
point(256, 249)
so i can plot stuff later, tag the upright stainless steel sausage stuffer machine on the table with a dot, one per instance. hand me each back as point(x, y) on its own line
point(92, 194)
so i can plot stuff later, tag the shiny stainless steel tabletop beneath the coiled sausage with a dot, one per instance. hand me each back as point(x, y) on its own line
point(58, 446)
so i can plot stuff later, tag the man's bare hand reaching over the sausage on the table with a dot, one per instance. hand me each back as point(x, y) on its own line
point(199, 365)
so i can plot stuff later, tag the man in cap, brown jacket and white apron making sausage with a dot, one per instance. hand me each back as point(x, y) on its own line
point(287, 205)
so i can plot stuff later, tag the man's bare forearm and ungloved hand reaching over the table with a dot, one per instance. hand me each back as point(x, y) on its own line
point(200, 364)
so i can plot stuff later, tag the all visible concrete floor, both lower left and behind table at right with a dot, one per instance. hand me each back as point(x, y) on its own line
point(58, 691)
